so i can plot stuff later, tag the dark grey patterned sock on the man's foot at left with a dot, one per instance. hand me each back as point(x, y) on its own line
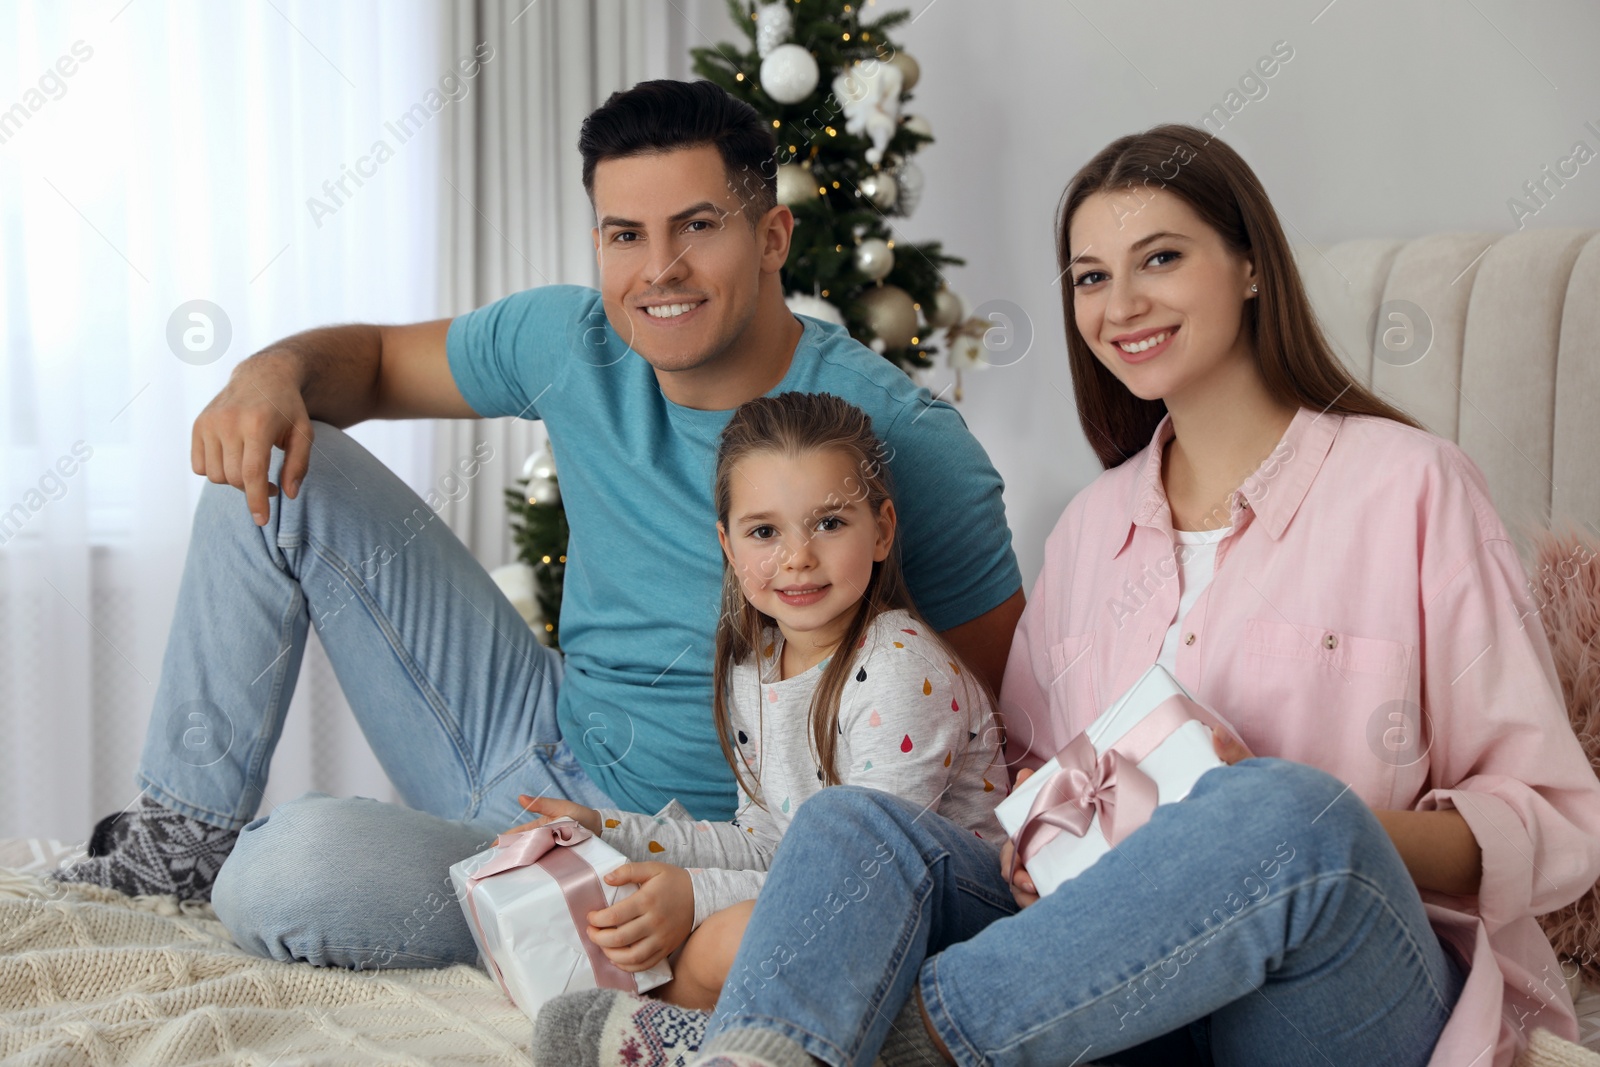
point(153, 850)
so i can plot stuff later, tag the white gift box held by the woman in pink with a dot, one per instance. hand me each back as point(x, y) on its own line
point(1175, 765)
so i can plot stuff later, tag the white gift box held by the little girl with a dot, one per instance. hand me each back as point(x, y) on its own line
point(526, 930)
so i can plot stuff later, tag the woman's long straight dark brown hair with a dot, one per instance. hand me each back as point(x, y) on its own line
point(1295, 358)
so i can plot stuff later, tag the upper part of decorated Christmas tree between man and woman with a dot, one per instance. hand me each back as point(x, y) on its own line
point(833, 86)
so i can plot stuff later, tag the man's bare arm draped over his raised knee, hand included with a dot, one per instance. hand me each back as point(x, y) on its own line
point(338, 375)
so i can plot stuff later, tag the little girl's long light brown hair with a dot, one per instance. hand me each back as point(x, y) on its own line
point(796, 425)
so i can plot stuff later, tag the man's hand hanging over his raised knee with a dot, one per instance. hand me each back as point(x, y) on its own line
point(233, 439)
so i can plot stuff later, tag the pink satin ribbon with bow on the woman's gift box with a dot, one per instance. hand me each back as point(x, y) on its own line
point(1110, 783)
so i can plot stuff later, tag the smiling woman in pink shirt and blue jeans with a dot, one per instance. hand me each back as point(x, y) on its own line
point(1359, 885)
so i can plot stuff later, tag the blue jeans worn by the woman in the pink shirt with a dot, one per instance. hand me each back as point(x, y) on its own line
point(1263, 921)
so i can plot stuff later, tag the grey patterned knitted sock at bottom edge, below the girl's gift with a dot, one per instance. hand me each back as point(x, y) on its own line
point(606, 1026)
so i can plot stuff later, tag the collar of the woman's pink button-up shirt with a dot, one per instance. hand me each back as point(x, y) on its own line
point(1274, 492)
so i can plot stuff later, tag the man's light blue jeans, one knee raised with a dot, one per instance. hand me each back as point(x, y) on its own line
point(450, 687)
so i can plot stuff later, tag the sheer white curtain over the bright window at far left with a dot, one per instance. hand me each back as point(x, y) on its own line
point(154, 154)
